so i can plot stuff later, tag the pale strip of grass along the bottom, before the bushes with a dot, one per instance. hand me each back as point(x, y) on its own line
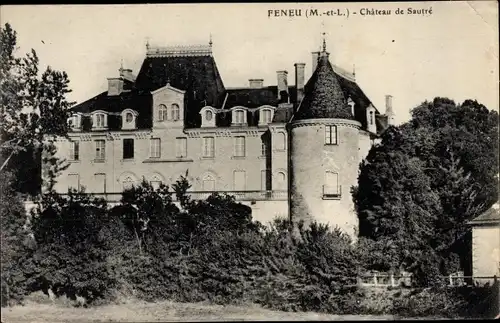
point(162, 311)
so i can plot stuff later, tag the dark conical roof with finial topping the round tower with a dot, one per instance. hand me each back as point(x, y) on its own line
point(323, 95)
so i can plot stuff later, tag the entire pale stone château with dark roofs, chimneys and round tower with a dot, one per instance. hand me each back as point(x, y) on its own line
point(285, 150)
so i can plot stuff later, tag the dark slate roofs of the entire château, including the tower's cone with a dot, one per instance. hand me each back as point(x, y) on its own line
point(326, 94)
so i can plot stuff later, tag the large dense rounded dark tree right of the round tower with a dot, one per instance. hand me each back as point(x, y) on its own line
point(425, 180)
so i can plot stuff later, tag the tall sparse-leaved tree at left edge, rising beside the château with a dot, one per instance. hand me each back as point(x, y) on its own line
point(32, 107)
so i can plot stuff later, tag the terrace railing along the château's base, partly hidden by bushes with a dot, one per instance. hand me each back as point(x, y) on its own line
point(276, 195)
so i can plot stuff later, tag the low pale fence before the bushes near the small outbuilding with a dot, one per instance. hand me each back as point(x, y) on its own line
point(453, 280)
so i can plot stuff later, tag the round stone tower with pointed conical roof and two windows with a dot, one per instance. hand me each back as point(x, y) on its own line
point(323, 152)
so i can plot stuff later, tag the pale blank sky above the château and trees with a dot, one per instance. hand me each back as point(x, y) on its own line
point(451, 53)
